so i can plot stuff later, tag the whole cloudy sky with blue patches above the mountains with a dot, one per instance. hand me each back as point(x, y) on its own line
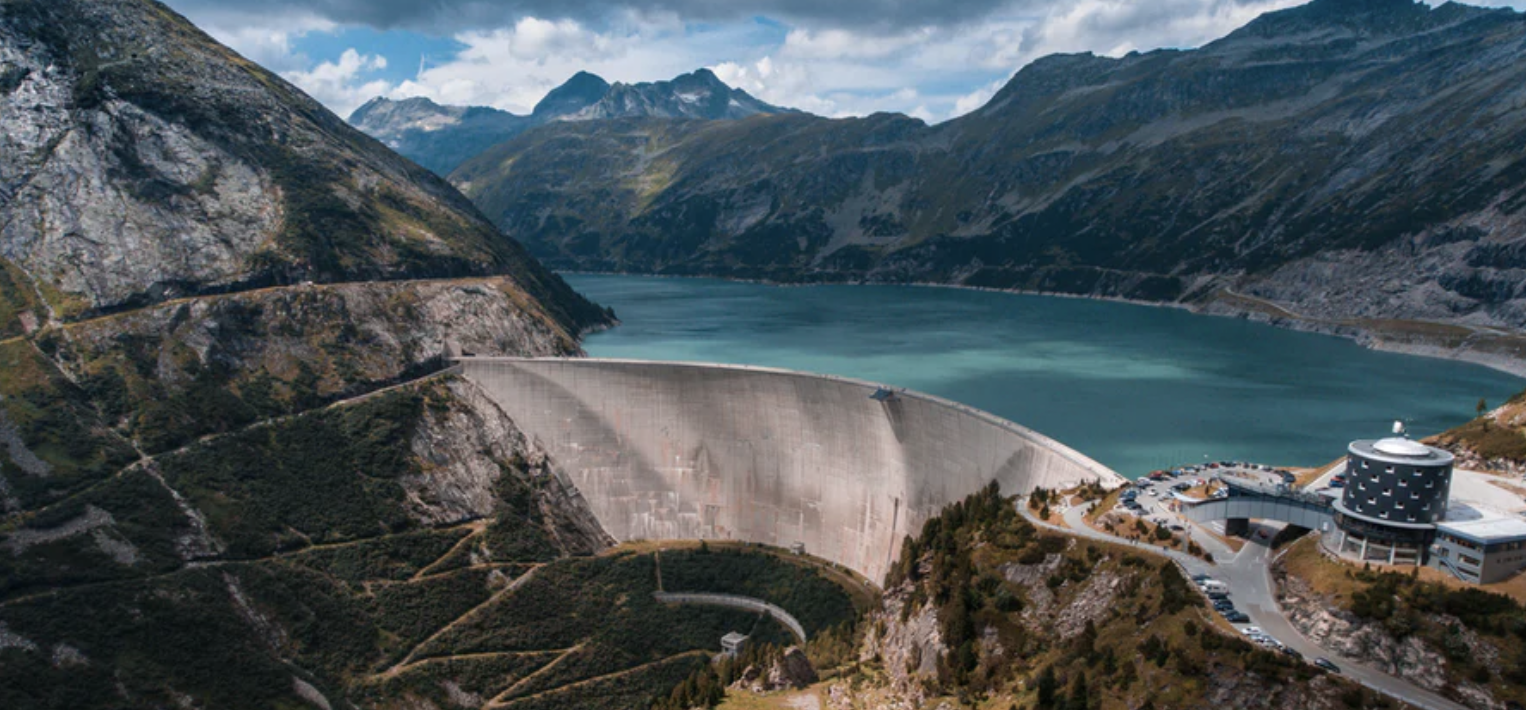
point(929, 59)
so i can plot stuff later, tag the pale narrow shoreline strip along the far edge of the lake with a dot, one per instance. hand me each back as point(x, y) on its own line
point(1215, 308)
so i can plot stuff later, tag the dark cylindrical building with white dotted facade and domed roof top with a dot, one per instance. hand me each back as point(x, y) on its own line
point(1396, 495)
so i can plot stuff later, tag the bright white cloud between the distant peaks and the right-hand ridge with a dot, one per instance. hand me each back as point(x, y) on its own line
point(958, 69)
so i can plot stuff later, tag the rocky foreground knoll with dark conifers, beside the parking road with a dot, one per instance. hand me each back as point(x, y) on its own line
point(1055, 622)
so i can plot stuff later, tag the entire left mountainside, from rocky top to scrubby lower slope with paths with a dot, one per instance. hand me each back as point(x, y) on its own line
point(225, 480)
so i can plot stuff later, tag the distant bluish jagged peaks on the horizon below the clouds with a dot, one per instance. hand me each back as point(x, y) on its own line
point(443, 137)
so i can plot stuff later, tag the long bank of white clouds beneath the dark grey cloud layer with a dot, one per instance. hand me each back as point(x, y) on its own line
point(929, 71)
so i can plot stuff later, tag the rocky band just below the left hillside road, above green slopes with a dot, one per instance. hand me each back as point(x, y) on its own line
point(349, 334)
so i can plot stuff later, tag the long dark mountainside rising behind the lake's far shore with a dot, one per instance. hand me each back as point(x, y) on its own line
point(1353, 161)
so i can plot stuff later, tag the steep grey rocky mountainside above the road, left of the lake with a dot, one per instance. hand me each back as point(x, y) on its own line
point(143, 161)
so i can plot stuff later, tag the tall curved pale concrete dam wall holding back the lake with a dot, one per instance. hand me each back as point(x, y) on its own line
point(689, 451)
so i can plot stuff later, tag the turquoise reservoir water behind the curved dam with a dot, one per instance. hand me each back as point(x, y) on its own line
point(1133, 387)
